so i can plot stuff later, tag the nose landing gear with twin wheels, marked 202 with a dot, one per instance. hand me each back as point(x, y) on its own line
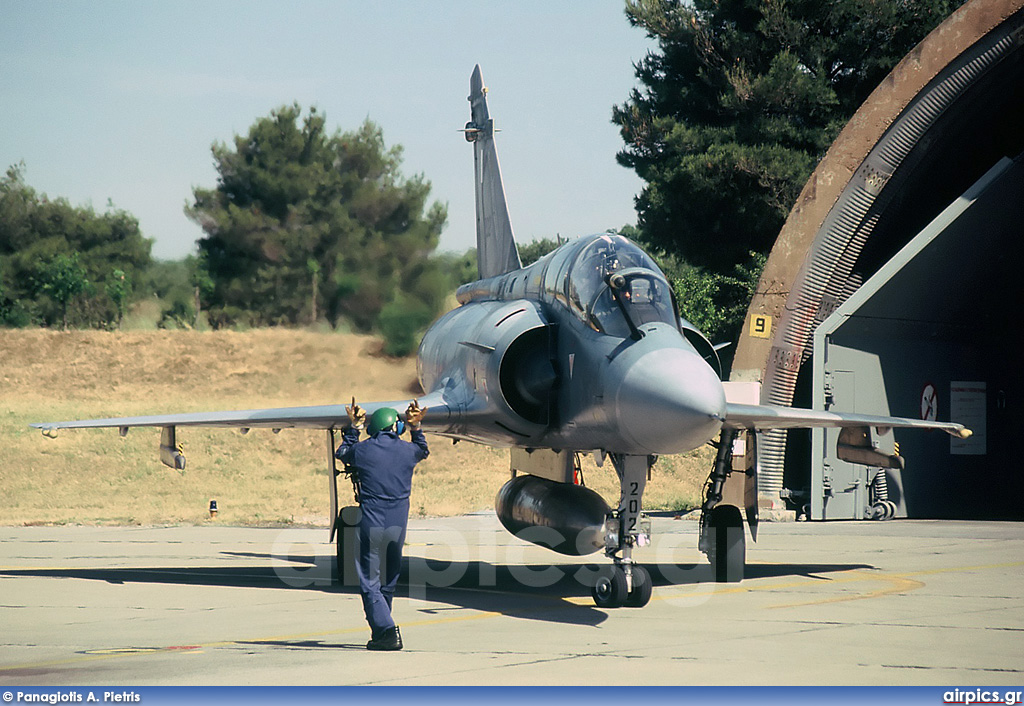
point(626, 584)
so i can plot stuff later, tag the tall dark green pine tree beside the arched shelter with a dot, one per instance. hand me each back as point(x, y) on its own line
point(741, 101)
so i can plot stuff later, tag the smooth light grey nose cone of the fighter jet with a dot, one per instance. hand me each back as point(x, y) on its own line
point(670, 402)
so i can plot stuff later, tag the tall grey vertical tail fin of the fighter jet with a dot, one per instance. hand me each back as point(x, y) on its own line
point(496, 251)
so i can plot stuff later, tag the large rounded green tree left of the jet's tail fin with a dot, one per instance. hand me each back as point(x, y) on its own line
point(303, 222)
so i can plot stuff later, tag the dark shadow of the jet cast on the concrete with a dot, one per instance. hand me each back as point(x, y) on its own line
point(547, 593)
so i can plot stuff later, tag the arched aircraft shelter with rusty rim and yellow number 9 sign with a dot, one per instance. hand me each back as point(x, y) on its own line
point(895, 287)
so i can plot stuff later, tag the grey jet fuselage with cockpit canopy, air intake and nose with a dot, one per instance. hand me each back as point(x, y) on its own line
point(580, 351)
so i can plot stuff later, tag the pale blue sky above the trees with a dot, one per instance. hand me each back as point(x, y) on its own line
point(122, 101)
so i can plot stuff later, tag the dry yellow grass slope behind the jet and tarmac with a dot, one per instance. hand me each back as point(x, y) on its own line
point(95, 477)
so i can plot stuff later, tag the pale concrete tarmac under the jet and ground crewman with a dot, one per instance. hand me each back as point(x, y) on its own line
point(897, 603)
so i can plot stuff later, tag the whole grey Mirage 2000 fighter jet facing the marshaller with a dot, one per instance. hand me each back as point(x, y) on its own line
point(583, 352)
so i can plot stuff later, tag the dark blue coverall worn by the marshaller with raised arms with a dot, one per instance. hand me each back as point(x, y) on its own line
point(385, 468)
